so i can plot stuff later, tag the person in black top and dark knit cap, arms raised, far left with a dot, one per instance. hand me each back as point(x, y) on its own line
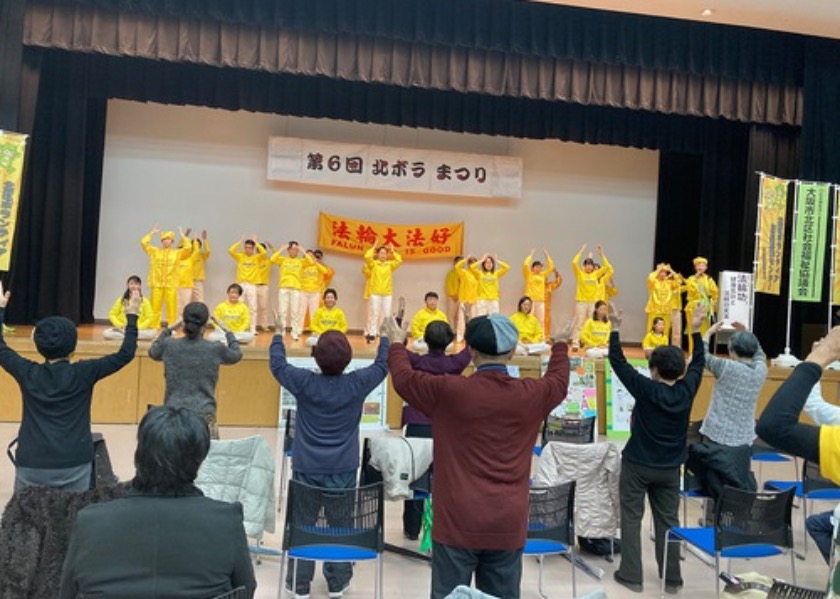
point(55, 447)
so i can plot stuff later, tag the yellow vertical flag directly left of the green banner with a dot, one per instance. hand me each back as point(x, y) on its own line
point(771, 235)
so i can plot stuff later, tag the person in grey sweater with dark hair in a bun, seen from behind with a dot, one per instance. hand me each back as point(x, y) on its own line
point(191, 363)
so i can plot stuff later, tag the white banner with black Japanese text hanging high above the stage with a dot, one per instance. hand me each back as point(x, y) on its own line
point(402, 169)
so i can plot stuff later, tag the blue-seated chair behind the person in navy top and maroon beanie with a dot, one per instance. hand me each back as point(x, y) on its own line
point(333, 525)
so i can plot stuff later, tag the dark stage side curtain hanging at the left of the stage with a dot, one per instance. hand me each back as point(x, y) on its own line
point(54, 261)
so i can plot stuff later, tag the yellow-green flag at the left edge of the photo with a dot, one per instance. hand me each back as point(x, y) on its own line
point(12, 148)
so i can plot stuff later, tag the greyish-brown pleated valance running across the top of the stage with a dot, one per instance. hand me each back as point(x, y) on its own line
point(413, 65)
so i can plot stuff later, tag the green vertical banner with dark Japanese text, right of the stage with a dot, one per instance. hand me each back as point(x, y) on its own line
point(810, 232)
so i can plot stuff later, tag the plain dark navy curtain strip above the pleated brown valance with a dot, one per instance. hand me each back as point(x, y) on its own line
point(509, 26)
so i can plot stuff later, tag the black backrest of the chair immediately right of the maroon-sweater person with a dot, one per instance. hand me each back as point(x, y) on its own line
point(551, 512)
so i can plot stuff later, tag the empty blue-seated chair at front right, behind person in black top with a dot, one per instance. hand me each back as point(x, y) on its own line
point(748, 525)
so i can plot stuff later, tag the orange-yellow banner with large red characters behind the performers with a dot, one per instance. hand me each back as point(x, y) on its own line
point(413, 242)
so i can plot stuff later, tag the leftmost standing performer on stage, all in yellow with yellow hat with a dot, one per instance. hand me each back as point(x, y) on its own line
point(163, 272)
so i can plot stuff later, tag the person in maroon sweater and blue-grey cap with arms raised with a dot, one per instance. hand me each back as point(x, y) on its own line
point(484, 427)
